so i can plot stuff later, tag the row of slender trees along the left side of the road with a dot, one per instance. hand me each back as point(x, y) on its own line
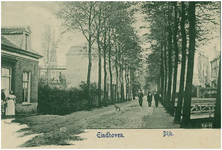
point(107, 28)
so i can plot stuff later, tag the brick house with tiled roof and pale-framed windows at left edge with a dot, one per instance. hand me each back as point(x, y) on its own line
point(19, 69)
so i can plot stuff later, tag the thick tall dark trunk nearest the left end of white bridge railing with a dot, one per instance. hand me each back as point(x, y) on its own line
point(189, 81)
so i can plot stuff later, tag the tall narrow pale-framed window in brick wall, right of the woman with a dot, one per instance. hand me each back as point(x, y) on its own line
point(26, 86)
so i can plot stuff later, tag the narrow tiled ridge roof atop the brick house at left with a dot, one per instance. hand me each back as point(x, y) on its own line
point(15, 30)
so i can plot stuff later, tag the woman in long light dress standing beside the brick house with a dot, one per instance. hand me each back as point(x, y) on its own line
point(10, 109)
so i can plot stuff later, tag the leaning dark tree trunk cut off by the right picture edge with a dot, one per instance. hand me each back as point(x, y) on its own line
point(217, 113)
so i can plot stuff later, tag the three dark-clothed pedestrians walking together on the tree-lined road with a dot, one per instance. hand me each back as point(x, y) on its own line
point(149, 98)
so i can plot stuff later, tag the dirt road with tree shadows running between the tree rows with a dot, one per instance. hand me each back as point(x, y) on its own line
point(47, 127)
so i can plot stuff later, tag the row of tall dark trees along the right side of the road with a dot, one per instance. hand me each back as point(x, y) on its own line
point(176, 30)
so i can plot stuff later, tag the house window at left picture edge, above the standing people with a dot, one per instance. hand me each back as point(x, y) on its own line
point(6, 79)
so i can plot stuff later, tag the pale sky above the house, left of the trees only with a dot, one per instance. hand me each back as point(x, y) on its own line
point(37, 15)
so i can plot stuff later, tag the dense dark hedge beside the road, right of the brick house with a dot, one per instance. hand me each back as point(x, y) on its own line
point(61, 101)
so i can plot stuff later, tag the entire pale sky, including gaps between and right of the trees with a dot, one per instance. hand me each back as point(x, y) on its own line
point(38, 14)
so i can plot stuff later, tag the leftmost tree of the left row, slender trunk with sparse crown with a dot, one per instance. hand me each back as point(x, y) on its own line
point(80, 15)
